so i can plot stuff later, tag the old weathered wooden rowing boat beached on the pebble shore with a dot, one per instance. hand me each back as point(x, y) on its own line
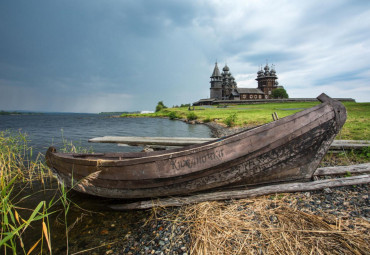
point(285, 150)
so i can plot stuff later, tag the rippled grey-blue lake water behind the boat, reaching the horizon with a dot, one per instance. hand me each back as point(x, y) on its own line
point(45, 130)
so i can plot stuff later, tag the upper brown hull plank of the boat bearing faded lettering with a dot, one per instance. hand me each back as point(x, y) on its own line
point(171, 165)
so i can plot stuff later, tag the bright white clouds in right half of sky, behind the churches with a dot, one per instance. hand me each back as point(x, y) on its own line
point(316, 46)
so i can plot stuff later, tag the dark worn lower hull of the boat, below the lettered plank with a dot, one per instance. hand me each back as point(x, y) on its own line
point(285, 163)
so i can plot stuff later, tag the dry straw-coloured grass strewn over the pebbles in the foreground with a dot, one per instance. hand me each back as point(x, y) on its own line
point(265, 226)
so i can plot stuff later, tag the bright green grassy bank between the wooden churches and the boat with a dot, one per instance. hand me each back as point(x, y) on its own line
point(357, 126)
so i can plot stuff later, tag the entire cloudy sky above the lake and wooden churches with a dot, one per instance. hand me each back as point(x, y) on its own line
point(126, 55)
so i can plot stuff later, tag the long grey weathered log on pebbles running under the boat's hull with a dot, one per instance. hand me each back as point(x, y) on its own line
point(240, 194)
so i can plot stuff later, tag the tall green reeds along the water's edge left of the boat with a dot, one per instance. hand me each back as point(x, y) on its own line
point(18, 172)
